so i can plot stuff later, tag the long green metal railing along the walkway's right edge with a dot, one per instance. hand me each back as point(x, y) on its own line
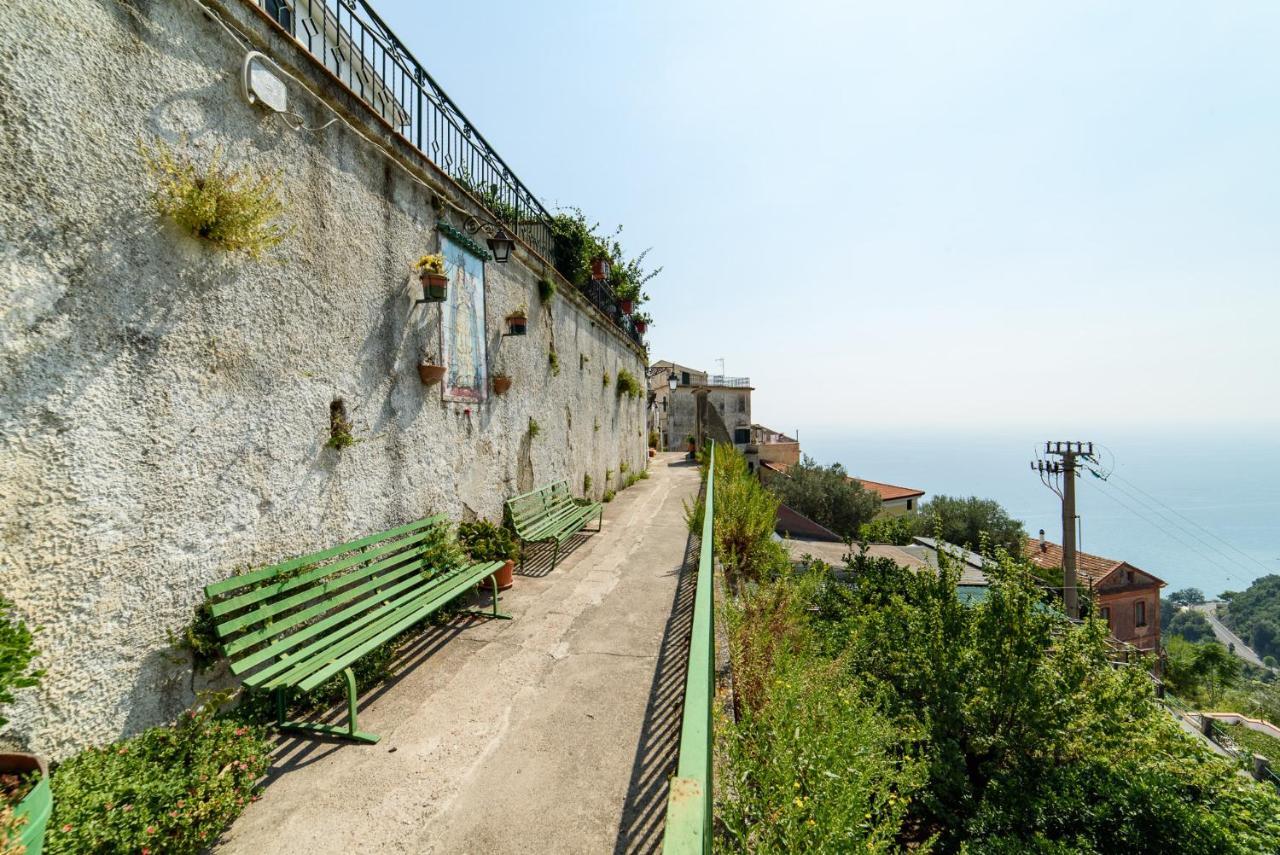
point(689, 806)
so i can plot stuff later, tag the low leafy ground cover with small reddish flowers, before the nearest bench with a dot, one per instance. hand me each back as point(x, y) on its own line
point(167, 790)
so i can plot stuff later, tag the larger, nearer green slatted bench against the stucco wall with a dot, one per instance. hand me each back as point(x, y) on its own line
point(300, 623)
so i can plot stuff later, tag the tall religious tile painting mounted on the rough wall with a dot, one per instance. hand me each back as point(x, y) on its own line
point(463, 331)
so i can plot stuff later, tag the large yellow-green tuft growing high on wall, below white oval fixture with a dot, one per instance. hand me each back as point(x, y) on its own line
point(235, 209)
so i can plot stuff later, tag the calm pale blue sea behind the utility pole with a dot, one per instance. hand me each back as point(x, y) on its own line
point(1197, 510)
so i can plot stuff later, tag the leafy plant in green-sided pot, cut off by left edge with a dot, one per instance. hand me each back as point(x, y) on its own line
point(24, 778)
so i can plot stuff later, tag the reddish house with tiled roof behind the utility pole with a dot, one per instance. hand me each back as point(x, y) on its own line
point(1126, 597)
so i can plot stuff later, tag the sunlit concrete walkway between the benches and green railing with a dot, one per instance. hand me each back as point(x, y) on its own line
point(554, 733)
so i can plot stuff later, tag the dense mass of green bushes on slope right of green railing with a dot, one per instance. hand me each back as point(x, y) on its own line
point(994, 728)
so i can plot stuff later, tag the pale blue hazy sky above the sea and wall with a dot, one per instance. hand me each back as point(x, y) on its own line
point(915, 213)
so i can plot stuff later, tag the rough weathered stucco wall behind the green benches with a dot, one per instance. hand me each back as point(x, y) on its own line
point(166, 406)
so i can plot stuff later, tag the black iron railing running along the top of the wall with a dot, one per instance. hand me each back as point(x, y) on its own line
point(350, 39)
